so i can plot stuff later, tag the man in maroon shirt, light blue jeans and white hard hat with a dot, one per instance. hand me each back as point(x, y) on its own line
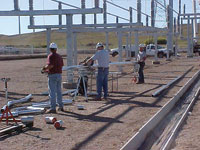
point(54, 70)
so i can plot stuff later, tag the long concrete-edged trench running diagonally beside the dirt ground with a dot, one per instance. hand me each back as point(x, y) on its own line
point(168, 112)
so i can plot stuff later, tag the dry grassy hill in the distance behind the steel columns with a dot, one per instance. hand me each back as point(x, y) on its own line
point(84, 40)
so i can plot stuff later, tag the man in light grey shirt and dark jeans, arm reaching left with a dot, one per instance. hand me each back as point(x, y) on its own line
point(102, 57)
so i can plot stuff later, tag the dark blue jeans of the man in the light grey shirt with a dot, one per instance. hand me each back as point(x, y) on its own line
point(102, 81)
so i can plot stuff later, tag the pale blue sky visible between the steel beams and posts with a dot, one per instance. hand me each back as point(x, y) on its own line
point(9, 25)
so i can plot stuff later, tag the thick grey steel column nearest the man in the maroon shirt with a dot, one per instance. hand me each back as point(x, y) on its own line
point(69, 43)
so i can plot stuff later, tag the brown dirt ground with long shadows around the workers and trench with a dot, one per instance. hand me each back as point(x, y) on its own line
point(102, 125)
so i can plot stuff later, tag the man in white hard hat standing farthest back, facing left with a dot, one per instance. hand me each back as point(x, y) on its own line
point(141, 57)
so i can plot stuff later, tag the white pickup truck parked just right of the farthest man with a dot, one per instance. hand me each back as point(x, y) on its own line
point(162, 52)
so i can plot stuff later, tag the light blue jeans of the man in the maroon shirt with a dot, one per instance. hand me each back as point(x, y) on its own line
point(55, 91)
